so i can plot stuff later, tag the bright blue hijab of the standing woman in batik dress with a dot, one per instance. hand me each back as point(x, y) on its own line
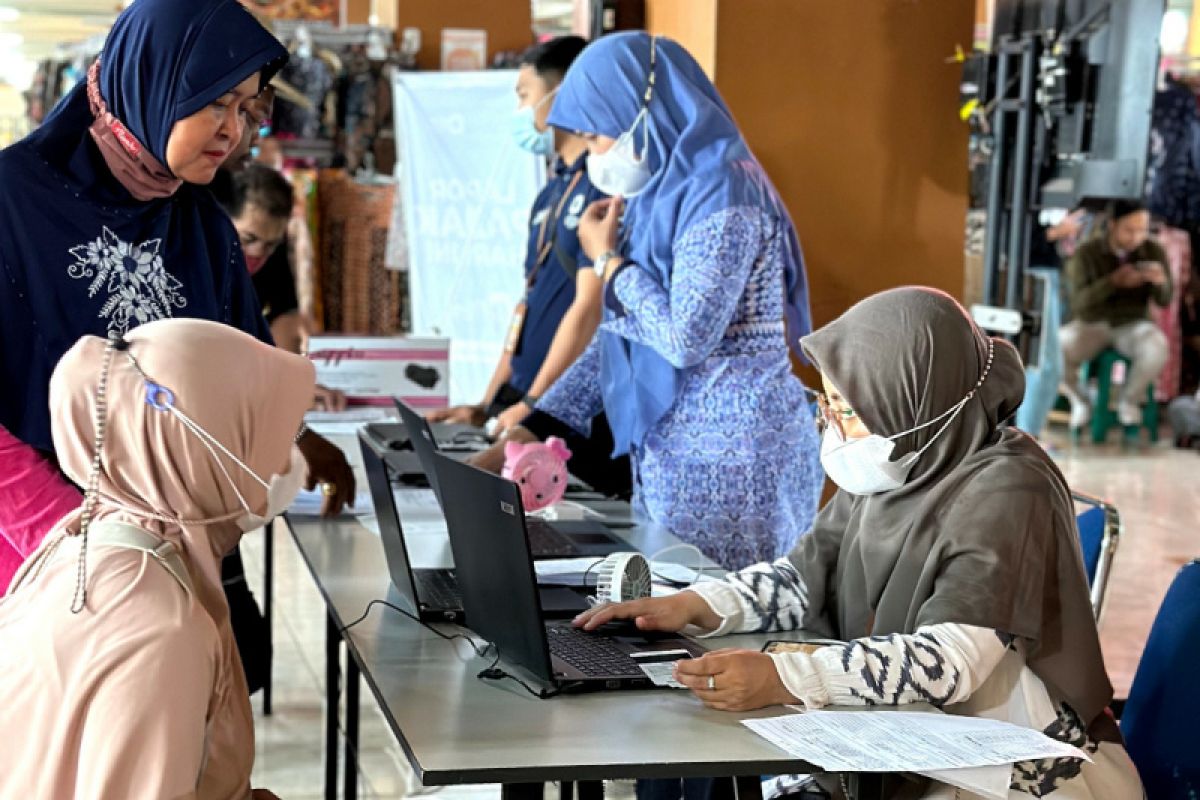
point(701, 166)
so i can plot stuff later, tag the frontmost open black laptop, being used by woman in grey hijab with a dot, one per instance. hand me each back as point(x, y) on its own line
point(491, 551)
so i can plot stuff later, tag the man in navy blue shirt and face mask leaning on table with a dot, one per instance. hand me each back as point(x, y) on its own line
point(561, 308)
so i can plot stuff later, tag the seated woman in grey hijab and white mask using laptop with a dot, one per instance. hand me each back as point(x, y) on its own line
point(947, 563)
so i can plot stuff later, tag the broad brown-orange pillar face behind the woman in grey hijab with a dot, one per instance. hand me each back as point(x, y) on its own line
point(853, 110)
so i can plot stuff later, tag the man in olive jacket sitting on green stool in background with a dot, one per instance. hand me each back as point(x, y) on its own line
point(1112, 280)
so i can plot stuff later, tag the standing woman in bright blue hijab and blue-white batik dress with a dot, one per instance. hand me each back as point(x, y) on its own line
point(705, 291)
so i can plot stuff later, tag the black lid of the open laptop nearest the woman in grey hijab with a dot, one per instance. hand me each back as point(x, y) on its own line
point(491, 555)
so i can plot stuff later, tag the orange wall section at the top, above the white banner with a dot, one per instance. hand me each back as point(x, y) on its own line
point(509, 23)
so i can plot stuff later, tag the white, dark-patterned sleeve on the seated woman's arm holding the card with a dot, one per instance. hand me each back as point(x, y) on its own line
point(939, 665)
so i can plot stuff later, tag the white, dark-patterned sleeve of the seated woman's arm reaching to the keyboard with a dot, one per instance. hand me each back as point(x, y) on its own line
point(761, 598)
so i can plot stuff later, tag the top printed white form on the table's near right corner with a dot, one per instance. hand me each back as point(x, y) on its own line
point(903, 742)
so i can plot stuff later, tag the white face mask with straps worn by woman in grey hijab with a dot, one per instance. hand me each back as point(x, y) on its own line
point(865, 466)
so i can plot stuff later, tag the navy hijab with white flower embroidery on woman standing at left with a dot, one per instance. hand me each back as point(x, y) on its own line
point(82, 255)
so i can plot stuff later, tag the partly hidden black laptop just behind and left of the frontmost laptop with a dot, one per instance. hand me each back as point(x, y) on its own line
point(434, 594)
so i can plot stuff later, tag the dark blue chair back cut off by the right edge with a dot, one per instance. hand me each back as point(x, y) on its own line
point(1160, 718)
